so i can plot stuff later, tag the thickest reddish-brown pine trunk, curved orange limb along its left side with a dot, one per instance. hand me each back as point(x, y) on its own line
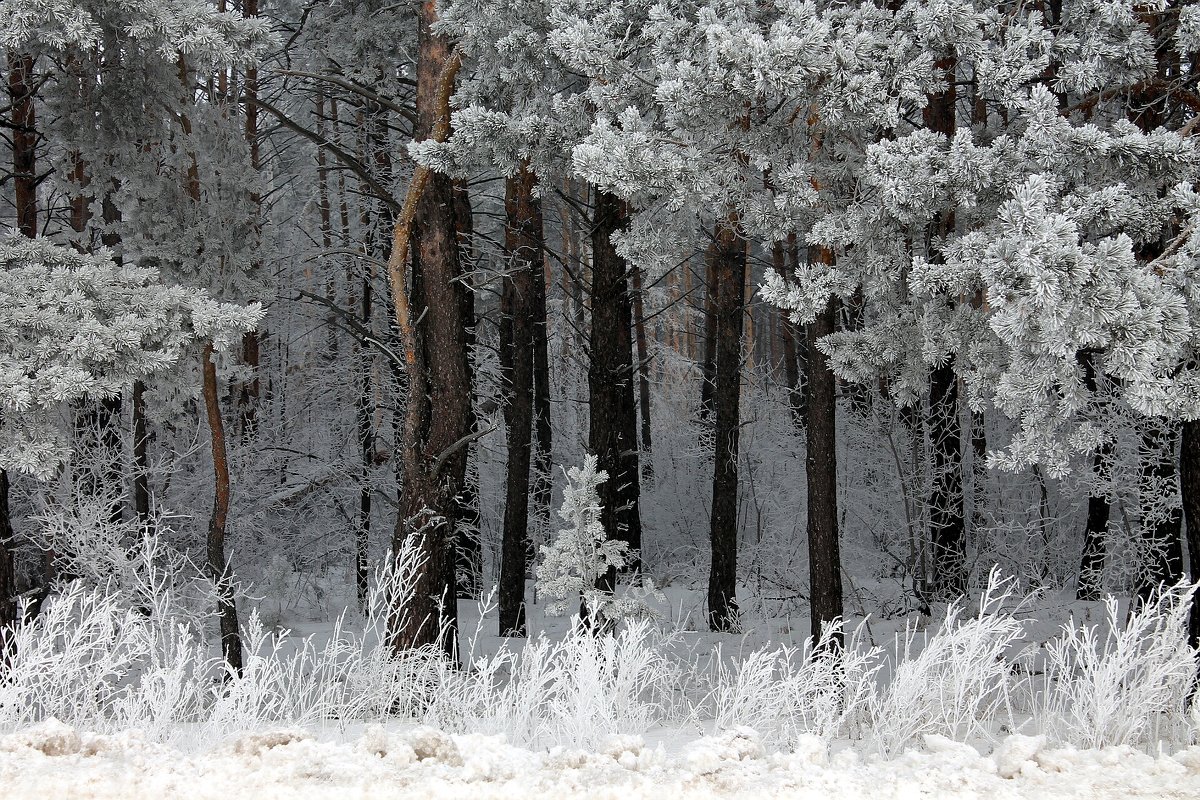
point(434, 328)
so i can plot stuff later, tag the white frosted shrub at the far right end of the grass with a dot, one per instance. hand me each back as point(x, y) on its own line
point(1120, 684)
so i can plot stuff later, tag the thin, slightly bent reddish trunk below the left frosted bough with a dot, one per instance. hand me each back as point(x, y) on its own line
point(219, 569)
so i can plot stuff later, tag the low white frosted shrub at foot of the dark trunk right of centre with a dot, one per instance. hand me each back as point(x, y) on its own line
point(785, 693)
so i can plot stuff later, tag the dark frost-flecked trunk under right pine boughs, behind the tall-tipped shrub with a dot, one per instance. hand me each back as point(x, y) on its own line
point(946, 520)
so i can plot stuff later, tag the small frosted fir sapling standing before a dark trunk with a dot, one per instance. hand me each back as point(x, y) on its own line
point(583, 554)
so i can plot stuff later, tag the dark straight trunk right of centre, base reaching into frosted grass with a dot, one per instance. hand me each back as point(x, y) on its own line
point(821, 467)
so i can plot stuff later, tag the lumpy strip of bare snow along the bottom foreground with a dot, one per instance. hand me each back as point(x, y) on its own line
point(56, 761)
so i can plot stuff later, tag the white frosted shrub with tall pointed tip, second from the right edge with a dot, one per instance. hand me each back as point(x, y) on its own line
point(958, 684)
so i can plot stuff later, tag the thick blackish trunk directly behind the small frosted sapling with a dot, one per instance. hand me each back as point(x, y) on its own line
point(613, 431)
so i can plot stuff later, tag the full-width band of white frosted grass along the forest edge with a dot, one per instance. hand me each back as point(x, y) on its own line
point(98, 664)
